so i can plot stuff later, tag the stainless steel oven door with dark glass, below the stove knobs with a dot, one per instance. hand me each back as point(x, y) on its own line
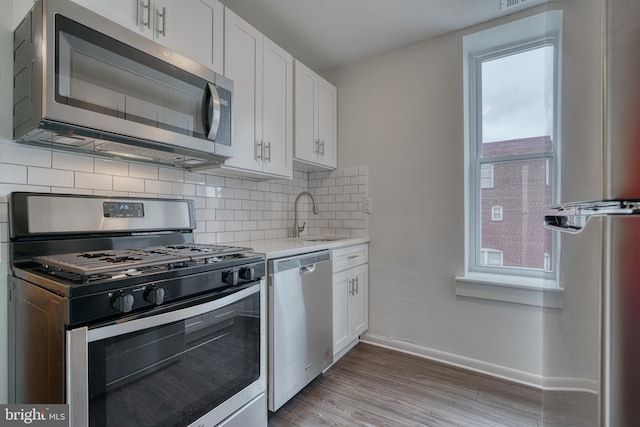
point(195, 365)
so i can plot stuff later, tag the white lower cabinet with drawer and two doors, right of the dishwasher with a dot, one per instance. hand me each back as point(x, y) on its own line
point(350, 296)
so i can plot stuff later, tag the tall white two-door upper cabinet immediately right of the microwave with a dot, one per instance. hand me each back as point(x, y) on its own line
point(262, 73)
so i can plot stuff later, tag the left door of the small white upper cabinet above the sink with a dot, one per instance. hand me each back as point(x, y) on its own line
point(306, 102)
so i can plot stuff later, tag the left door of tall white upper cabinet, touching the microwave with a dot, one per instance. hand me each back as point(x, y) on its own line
point(243, 65)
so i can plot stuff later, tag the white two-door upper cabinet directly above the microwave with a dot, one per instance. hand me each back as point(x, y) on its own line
point(193, 28)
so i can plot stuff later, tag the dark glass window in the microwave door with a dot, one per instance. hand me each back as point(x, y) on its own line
point(103, 75)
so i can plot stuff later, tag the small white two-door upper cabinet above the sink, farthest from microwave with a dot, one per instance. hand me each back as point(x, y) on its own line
point(316, 124)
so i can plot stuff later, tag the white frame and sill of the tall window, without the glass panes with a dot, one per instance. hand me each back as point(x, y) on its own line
point(540, 287)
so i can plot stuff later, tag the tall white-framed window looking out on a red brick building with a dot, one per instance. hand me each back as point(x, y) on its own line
point(512, 130)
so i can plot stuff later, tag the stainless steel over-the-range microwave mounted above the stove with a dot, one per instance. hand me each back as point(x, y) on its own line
point(85, 84)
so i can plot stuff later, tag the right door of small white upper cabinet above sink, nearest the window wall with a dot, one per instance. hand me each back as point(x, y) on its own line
point(327, 123)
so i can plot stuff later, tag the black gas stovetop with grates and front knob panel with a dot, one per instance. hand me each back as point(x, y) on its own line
point(109, 284)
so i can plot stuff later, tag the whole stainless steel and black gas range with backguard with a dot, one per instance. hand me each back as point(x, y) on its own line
point(115, 310)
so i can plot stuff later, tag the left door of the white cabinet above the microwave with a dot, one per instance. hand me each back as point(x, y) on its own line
point(136, 15)
